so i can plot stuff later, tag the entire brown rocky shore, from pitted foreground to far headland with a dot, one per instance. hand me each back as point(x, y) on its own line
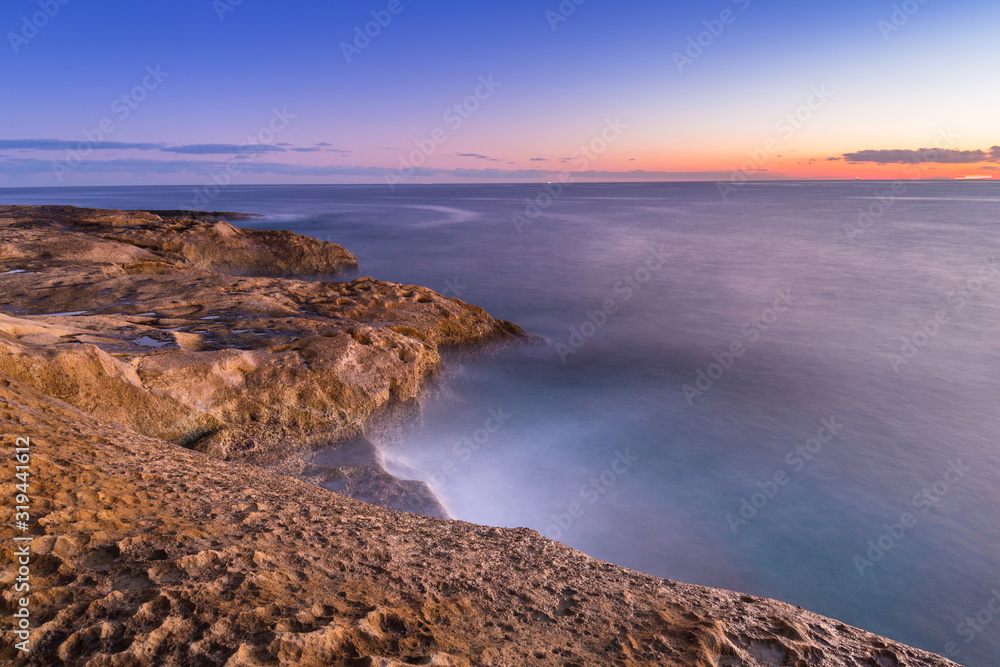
point(163, 391)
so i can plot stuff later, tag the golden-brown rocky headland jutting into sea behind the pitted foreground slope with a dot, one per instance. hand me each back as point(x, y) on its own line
point(140, 320)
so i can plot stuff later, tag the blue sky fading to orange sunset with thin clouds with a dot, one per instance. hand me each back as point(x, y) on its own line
point(417, 91)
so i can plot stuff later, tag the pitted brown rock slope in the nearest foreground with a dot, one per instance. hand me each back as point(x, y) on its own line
point(145, 553)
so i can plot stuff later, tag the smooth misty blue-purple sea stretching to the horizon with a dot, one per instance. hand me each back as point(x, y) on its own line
point(743, 394)
